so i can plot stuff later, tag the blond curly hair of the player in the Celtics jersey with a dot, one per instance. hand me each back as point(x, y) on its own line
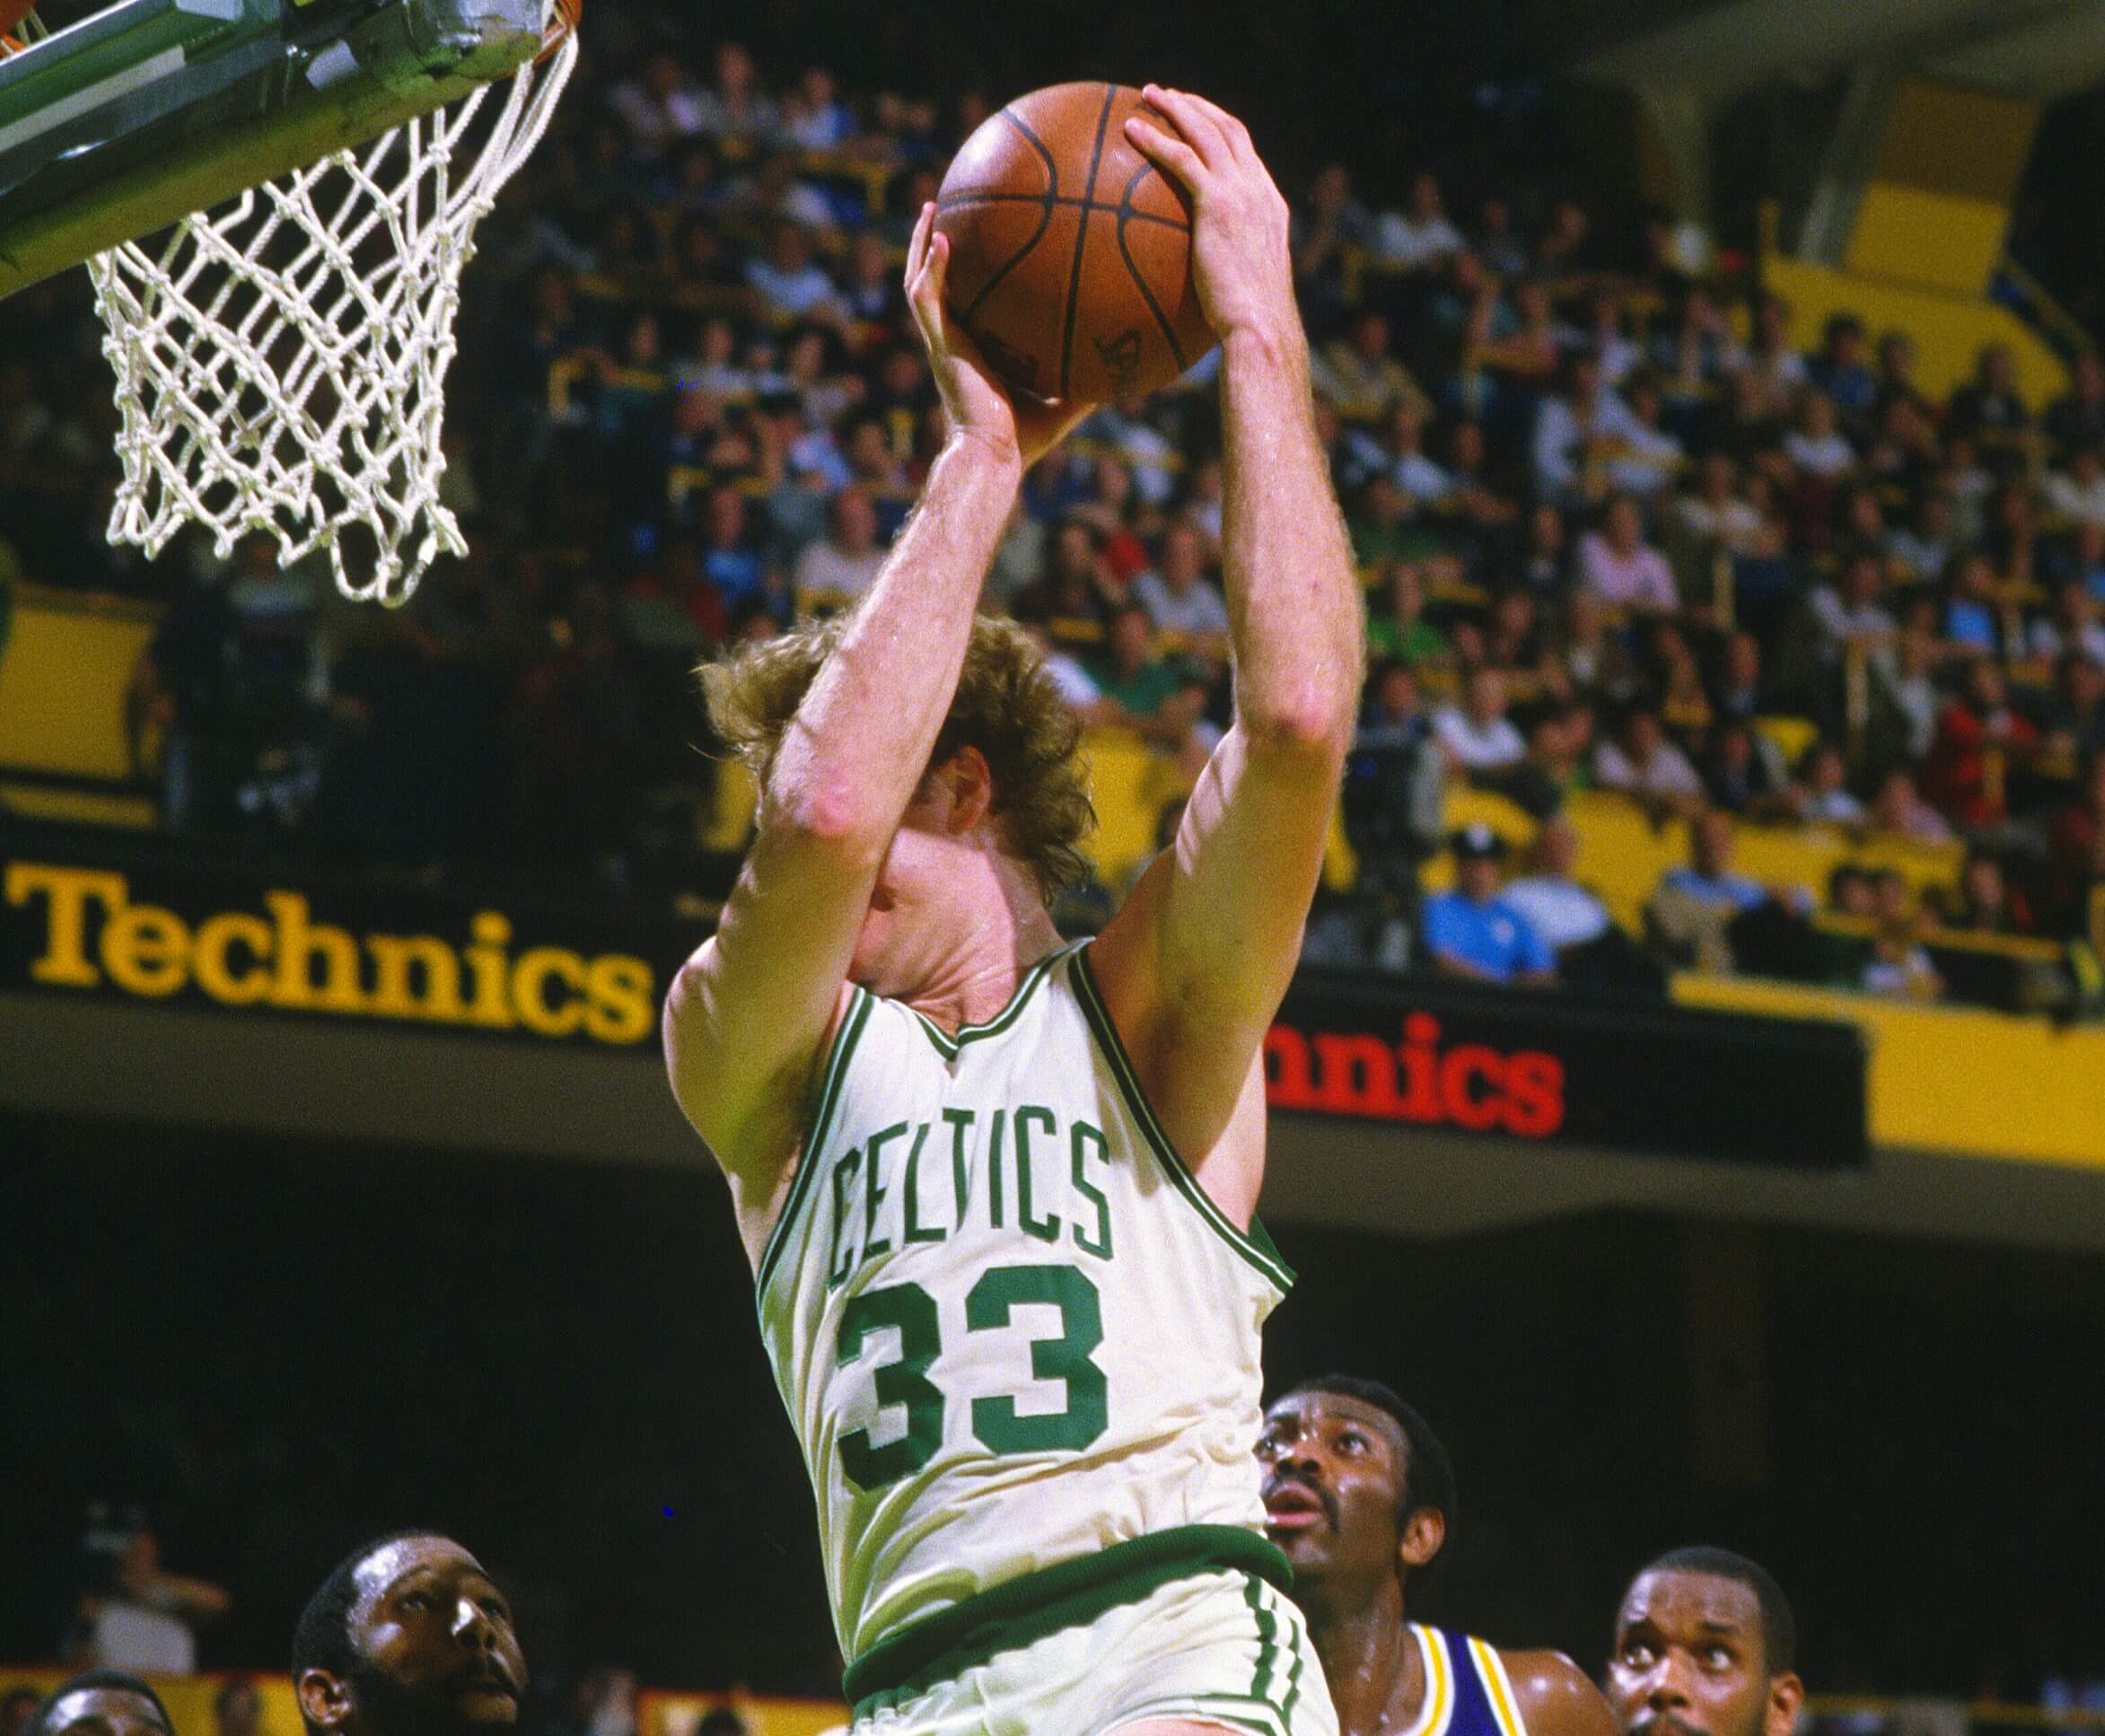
point(1007, 706)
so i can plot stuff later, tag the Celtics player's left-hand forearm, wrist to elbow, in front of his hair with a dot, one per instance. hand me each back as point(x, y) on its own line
point(864, 733)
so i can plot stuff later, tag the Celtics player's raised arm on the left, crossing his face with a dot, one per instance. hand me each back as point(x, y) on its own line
point(746, 1017)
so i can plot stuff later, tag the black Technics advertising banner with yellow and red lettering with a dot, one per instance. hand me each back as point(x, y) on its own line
point(1620, 1076)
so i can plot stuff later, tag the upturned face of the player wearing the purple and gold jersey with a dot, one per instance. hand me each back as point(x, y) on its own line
point(1334, 1476)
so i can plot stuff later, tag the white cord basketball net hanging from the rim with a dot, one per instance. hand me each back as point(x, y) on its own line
point(281, 361)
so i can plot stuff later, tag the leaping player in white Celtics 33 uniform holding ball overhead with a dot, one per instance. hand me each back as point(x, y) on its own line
point(1001, 1192)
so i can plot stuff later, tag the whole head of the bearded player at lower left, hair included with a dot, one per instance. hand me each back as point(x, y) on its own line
point(407, 1638)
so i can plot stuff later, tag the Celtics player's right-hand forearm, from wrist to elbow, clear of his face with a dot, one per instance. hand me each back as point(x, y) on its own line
point(1291, 599)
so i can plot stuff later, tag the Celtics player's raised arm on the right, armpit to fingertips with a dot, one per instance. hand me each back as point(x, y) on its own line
point(1199, 961)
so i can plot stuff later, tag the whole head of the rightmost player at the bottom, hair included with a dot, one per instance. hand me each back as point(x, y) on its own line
point(1706, 1647)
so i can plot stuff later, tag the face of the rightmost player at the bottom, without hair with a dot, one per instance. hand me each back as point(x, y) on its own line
point(1689, 1659)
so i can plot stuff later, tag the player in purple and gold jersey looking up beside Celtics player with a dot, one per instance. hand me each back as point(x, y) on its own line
point(1361, 1495)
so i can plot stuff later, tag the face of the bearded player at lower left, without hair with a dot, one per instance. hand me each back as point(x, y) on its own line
point(435, 1644)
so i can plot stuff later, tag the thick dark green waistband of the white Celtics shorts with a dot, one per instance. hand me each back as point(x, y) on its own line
point(1035, 1607)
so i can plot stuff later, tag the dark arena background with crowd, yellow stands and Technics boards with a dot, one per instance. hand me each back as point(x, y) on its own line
point(1715, 399)
